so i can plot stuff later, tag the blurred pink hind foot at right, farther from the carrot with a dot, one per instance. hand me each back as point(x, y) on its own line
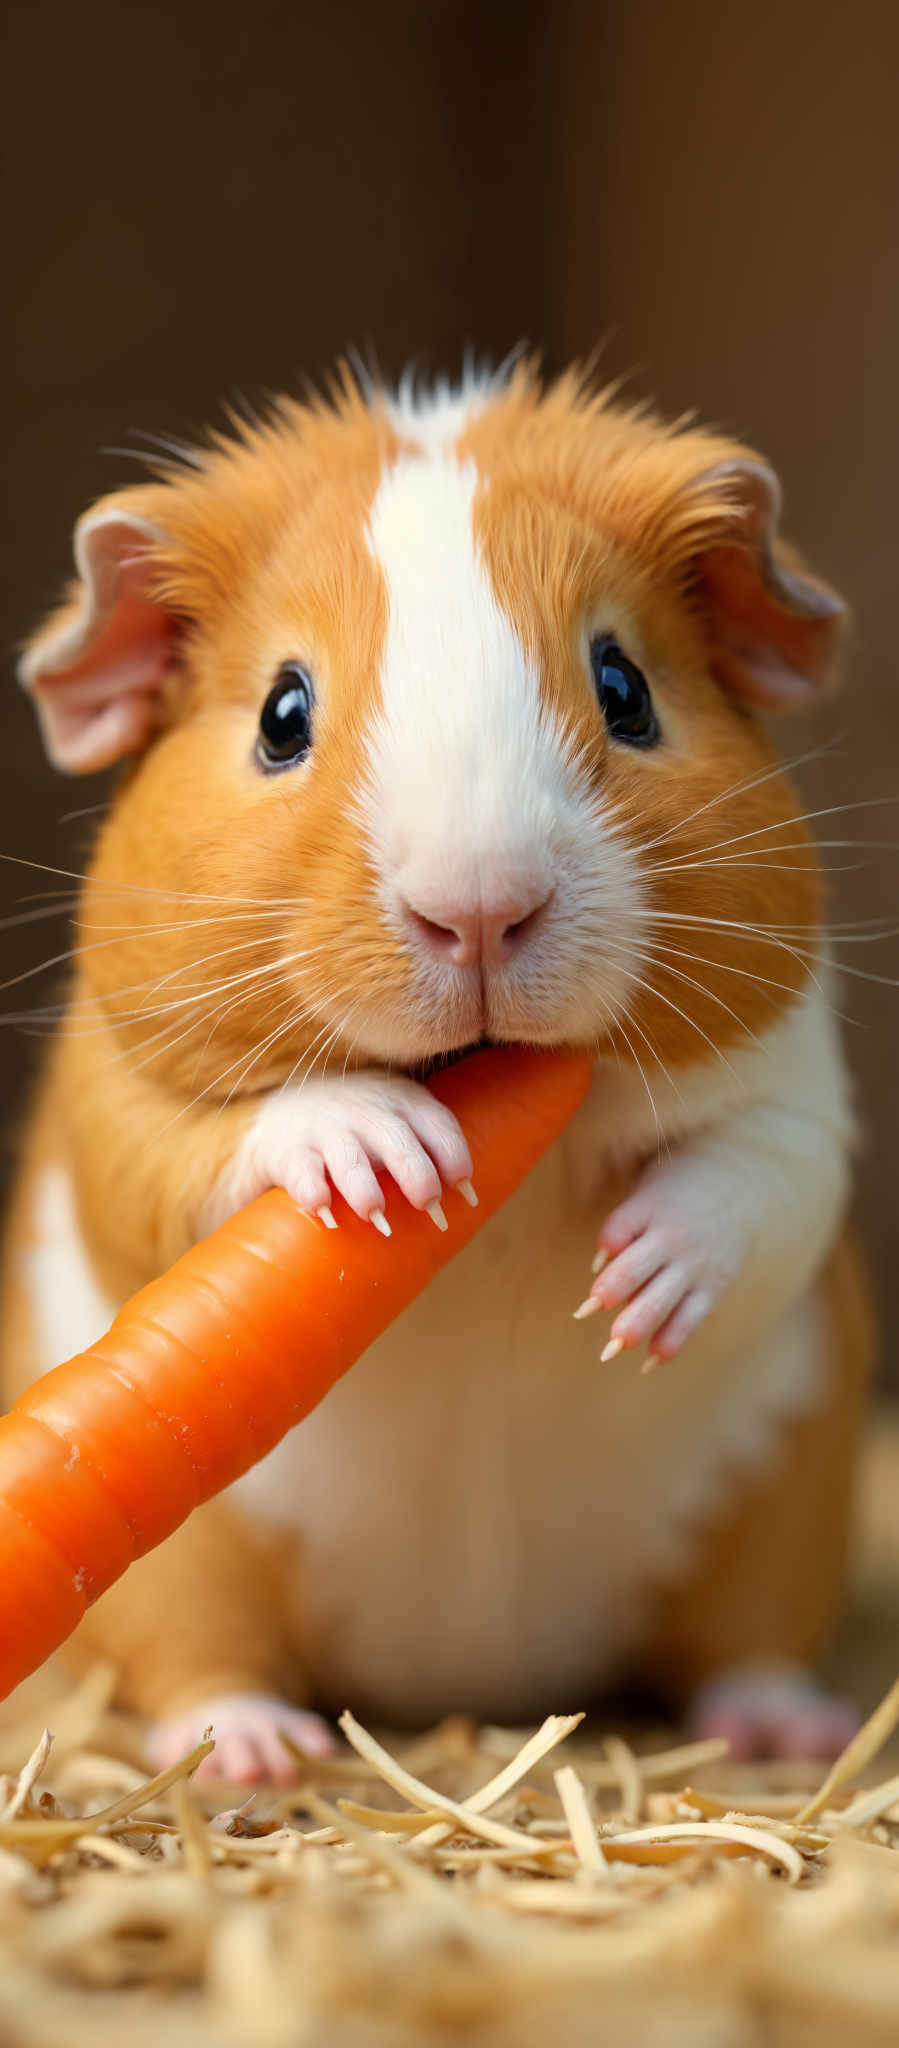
point(773, 1711)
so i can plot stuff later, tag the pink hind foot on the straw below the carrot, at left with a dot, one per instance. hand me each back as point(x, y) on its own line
point(247, 1727)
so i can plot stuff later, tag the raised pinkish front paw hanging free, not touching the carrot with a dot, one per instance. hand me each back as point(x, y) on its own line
point(665, 1261)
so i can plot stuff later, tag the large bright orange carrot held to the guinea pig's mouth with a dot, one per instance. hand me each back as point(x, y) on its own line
point(208, 1367)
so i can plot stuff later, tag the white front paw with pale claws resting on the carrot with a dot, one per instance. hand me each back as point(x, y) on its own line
point(339, 1136)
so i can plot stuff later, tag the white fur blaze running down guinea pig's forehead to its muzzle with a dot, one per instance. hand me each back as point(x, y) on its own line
point(474, 794)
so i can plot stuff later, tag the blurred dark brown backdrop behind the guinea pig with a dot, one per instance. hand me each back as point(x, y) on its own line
point(216, 200)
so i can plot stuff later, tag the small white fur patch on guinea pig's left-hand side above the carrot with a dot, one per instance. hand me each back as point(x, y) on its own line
point(69, 1306)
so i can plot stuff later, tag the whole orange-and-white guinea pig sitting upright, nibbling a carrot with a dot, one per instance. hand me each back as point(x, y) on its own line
point(443, 728)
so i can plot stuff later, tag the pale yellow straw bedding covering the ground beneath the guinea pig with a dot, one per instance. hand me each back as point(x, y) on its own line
point(470, 1885)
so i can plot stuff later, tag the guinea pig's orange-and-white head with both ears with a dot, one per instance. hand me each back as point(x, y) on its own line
point(445, 728)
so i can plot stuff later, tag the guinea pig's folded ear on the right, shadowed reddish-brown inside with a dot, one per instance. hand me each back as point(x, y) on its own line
point(775, 630)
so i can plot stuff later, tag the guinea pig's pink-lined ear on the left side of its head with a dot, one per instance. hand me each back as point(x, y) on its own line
point(99, 669)
